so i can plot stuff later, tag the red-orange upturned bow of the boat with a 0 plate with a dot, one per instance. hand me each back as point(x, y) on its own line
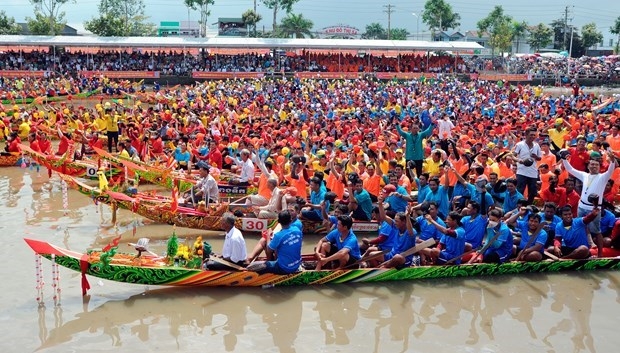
point(63, 164)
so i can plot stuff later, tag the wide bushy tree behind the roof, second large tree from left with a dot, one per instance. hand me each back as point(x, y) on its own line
point(121, 18)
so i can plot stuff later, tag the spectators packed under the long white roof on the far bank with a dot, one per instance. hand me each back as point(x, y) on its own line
point(183, 63)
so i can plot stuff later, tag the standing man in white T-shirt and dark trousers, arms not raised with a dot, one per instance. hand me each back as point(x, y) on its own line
point(526, 153)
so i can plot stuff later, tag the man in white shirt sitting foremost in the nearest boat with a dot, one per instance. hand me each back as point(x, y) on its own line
point(233, 251)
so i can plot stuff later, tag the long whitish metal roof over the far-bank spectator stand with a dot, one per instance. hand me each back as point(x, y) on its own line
point(236, 42)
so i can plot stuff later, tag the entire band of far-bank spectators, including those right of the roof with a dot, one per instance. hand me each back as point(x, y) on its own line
point(181, 63)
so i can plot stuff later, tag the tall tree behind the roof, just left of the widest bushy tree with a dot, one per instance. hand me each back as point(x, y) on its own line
point(48, 20)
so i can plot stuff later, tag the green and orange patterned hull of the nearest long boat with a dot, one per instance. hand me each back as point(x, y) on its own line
point(127, 268)
